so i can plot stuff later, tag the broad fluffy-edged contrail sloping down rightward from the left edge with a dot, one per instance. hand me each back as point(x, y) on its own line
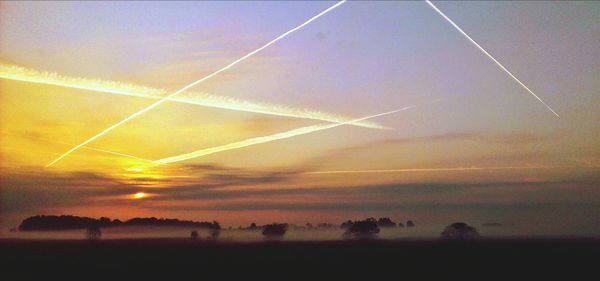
point(17, 73)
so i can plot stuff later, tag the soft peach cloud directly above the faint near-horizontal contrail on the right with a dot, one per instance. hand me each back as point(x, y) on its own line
point(462, 149)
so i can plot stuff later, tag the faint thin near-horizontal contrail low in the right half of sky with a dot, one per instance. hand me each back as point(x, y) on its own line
point(433, 170)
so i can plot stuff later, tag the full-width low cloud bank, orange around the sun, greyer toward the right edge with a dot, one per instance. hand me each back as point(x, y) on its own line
point(217, 188)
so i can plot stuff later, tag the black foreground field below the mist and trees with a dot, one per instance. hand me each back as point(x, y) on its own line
point(169, 259)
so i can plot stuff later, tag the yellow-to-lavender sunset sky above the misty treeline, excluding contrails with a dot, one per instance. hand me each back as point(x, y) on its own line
point(474, 146)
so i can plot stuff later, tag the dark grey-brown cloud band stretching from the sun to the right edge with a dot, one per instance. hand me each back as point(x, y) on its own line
point(378, 197)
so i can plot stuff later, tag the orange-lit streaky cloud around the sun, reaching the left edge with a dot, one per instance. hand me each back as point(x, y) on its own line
point(31, 188)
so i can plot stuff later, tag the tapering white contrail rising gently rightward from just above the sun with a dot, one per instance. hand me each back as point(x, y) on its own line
point(269, 138)
